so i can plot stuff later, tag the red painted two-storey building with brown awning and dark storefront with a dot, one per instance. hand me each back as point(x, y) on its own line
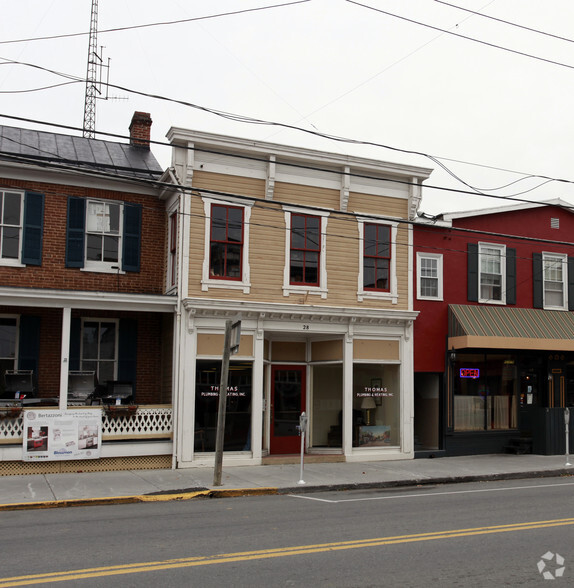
point(494, 338)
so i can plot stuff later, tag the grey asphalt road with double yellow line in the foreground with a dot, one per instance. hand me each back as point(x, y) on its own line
point(483, 534)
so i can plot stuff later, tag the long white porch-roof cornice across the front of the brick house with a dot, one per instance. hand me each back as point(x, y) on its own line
point(47, 298)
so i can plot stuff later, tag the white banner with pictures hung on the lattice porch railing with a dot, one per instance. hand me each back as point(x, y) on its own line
point(51, 435)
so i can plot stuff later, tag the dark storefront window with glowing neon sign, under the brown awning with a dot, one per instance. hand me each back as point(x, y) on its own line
point(485, 392)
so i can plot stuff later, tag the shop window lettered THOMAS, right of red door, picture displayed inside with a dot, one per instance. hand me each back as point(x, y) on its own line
point(376, 405)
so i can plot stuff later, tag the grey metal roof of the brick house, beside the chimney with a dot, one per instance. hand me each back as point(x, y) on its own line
point(58, 150)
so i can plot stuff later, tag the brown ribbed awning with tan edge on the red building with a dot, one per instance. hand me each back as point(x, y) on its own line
point(501, 327)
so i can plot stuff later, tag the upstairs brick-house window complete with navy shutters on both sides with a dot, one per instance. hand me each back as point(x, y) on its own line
point(103, 235)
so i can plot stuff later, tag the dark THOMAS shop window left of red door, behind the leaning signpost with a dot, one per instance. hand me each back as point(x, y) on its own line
point(238, 412)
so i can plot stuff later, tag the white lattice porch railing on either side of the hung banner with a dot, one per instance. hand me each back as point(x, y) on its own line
point(147, 422)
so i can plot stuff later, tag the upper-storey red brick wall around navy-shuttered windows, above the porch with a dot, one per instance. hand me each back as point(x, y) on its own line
point(53, 272)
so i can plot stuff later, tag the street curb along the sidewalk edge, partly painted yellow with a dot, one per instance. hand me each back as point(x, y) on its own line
point(168, 496)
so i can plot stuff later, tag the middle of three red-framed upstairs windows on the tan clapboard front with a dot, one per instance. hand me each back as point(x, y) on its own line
point(305, 250)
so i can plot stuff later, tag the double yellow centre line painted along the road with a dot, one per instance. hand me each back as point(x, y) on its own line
point(187, 562)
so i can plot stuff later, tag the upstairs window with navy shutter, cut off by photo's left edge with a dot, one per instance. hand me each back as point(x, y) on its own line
point(21, 227)
